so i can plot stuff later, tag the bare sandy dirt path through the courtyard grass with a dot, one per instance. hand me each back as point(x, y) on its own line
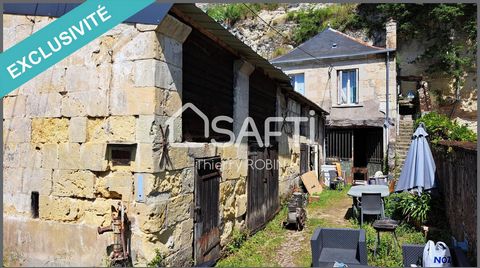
point(332, 214)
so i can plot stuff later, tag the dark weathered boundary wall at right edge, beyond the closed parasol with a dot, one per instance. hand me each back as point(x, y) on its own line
point(457, 180)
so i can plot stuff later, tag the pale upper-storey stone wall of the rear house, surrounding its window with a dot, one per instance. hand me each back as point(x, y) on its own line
point(322, 88)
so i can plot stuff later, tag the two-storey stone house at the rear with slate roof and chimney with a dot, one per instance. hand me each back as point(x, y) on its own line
point(356, 83)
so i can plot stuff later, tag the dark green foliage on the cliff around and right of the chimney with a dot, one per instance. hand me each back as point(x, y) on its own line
point(449, 28)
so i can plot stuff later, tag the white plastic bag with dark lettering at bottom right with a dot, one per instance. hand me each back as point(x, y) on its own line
point(436, 255)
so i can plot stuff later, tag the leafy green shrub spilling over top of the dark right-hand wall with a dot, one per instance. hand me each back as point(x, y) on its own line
point(440, 127)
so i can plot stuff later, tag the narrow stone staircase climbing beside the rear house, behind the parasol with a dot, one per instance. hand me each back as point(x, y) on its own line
point(403, 143)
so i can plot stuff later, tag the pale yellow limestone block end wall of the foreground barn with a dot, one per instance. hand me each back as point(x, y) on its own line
point(58, 130)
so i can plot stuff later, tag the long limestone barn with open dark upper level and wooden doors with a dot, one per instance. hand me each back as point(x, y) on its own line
point(118, 121)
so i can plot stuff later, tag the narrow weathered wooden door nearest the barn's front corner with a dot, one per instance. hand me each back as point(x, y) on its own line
point(206, 216)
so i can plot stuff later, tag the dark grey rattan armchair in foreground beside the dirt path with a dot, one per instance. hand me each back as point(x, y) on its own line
point(342, 245)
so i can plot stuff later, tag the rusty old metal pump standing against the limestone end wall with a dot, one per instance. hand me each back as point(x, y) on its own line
point(120, 254)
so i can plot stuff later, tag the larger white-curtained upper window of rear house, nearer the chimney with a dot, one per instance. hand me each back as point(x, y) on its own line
point(347, 87)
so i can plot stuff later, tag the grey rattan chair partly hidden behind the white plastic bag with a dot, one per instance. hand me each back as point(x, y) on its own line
point(413, 254)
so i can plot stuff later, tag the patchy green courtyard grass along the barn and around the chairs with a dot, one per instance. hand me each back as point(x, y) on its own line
point(260, 250)
